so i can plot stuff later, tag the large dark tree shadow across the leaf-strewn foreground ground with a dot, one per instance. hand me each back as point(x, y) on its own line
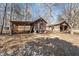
point(46, 47)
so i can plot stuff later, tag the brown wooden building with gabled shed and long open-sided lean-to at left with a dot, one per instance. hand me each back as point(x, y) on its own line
point(38, 26)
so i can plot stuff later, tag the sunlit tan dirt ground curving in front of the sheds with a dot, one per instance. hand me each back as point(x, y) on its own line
point(9, 43)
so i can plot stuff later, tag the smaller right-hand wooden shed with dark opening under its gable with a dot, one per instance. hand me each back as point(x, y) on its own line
point(62, 26)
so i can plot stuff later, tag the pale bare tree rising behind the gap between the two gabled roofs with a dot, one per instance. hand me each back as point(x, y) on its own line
point(49, 11)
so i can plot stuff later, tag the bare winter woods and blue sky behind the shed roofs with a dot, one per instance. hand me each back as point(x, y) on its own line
point(52, 13)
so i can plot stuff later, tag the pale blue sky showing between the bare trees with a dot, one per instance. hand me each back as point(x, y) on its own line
point(38, 9)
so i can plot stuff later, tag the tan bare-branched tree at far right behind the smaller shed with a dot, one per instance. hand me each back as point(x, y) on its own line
point(71, 14)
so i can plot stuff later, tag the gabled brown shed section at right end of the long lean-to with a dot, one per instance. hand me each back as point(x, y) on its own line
point(39, 25)
